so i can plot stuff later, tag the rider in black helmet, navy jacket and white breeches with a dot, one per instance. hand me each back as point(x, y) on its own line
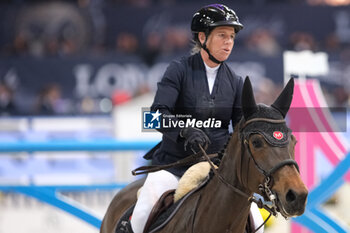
point(202, 86)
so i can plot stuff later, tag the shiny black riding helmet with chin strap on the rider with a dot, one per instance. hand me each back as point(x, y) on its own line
point(211, 16)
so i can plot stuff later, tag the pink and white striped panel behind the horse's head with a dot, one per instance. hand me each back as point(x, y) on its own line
point(314, 128)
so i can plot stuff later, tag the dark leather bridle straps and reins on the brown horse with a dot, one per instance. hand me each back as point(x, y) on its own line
point(266, 186)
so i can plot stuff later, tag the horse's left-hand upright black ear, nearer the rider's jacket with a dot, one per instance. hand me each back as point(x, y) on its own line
point(248, 101)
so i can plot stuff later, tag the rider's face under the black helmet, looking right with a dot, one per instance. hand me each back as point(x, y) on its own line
point(220, 42)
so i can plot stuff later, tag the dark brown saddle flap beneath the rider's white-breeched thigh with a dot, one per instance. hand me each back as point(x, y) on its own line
point(166, 200)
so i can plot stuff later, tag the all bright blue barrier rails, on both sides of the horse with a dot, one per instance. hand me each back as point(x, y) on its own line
point(313, 218)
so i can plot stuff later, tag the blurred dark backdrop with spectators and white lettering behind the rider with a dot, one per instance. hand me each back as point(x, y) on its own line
point(95, 48)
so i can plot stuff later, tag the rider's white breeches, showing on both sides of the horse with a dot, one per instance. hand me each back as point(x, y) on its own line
point(155, 185)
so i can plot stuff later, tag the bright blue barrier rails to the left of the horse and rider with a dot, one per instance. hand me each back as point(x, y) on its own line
point(49, 194)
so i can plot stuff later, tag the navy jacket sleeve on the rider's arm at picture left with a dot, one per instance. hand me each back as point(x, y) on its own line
point(168, 91)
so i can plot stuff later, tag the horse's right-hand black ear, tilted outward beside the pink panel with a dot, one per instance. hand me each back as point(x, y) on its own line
point(282, 103)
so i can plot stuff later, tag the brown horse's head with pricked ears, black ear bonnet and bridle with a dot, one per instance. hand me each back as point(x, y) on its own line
point(269, 144)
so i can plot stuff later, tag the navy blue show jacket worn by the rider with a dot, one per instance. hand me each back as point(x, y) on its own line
point(184, 90)
